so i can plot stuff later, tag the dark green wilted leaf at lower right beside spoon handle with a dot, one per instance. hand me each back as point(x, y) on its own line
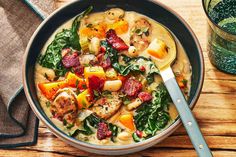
point(153, 116)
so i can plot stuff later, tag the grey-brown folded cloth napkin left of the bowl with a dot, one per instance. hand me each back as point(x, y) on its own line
point(18, 124)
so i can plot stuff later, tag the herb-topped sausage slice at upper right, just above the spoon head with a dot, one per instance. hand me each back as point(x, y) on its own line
point(140, 34)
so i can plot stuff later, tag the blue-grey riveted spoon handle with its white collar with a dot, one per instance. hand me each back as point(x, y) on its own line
point(185, 113)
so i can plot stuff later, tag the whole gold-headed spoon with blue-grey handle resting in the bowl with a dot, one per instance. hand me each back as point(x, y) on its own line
point(190, 124)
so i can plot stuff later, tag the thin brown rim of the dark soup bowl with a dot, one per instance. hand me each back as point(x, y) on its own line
point(166, 132)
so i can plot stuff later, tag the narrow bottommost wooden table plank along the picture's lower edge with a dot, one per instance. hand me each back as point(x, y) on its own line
point(157, 152)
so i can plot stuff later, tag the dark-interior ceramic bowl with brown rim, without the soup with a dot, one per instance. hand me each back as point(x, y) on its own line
point(152, 9)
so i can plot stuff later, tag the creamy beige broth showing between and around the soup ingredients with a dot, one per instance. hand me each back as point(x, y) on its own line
point(181, 65)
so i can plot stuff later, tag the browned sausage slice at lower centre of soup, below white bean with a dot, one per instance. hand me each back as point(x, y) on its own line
point(107, 106)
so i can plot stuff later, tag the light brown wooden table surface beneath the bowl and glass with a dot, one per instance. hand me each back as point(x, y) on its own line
point(215, 110)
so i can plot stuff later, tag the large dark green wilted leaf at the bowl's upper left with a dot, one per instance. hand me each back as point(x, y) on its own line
point(67, 38)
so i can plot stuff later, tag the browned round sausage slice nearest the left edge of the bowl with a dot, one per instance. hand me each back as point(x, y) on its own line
point(64, 106)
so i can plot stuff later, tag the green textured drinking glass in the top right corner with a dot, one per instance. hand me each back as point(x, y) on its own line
point(222, 33)
